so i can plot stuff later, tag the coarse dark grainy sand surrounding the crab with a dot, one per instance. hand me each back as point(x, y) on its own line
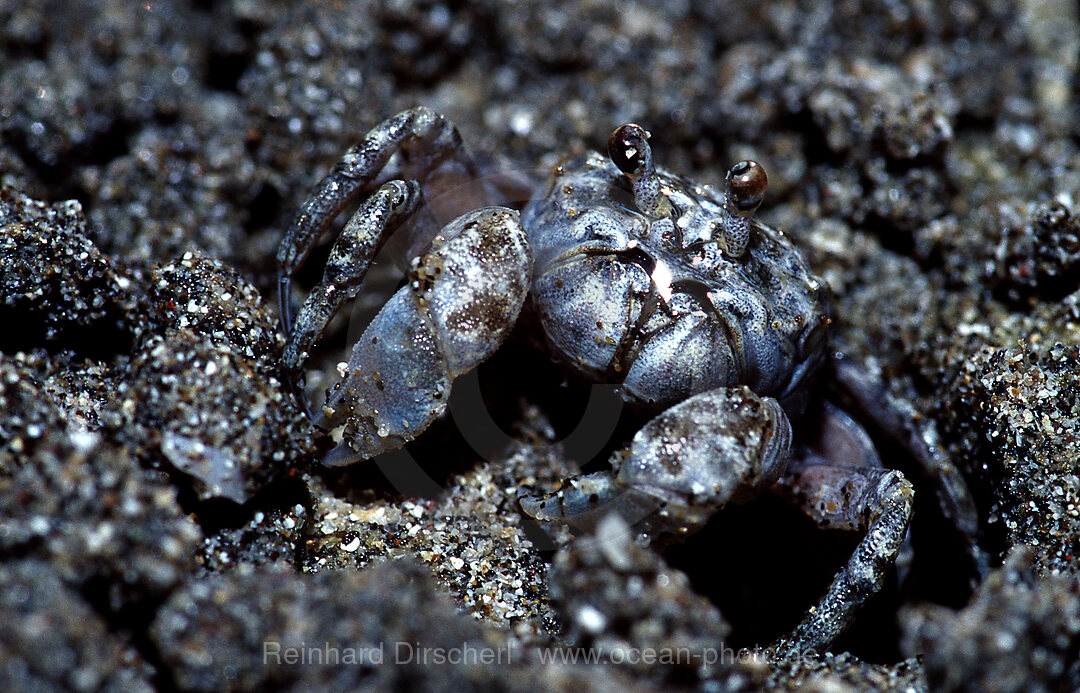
point(165, 524)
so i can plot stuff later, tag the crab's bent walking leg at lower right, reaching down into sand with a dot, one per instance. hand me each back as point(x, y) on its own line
point(875, 500)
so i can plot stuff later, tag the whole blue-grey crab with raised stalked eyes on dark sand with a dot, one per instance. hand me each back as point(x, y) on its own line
point(670, 289)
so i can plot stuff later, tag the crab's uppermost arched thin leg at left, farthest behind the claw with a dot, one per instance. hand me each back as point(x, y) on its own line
point(427, 142)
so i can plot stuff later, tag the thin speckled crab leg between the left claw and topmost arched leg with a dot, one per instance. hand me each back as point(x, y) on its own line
point(349, 261)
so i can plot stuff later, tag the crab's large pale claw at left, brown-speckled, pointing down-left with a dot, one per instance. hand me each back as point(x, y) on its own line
point(461, 304)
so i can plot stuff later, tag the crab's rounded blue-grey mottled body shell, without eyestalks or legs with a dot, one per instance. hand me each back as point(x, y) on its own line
point(657, 305)
